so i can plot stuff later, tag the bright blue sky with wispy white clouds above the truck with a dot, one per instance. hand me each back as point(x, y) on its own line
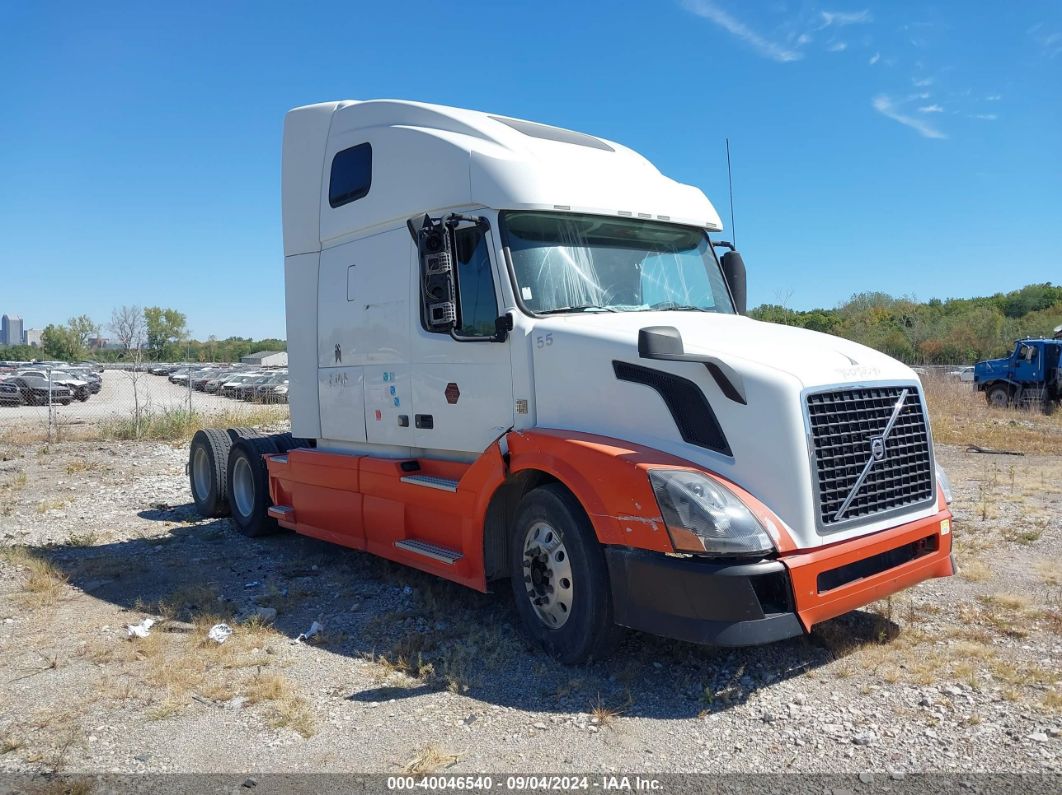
point(903, 147)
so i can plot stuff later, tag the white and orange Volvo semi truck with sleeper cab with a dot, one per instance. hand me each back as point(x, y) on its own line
point(517, 356)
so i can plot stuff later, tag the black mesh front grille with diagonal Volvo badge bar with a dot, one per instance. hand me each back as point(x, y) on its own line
point(844, 425)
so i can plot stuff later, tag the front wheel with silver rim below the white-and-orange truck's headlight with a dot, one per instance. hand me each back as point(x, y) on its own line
point(560, 578)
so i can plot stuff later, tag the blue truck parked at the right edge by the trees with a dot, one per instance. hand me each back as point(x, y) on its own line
point(1032, 376)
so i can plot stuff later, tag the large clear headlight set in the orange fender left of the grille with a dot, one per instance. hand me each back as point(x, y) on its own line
point(705, 516)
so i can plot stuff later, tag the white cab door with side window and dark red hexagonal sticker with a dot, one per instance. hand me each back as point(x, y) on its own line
point(464, 389)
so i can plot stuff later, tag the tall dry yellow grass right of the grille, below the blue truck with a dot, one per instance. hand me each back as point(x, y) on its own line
point(961, 417)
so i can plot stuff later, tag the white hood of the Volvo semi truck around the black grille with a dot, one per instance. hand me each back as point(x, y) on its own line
point(578, 387)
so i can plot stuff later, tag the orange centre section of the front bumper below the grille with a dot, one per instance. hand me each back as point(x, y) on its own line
point(814, 607)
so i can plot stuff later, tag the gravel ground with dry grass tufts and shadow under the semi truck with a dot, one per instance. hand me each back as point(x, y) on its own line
point(413, 673)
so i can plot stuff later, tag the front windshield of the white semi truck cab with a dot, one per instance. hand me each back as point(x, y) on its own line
point(567, 263)
